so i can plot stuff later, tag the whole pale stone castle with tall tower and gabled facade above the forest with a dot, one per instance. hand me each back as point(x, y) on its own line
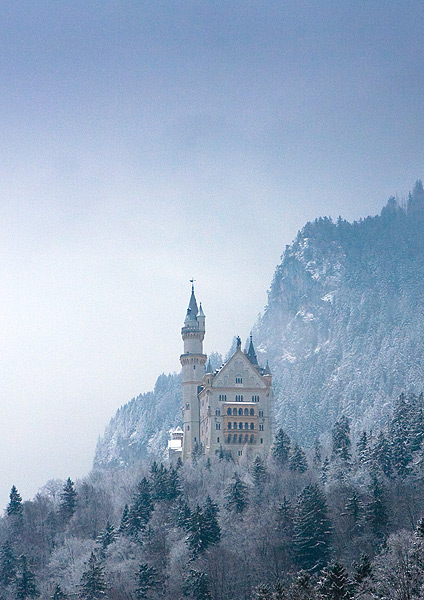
point(229, 410)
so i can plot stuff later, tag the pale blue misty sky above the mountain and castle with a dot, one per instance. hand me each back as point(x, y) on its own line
point(143, 143)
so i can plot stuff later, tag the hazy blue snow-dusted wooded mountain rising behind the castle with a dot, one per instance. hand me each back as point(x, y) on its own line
point(343, 331)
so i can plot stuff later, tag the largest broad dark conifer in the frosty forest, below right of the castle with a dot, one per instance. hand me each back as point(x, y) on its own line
point(312, 529)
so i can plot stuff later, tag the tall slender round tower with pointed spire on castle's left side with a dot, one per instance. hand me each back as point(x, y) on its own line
point(193, 365)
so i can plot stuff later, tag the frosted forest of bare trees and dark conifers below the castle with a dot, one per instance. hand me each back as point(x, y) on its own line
point(342, 520)
